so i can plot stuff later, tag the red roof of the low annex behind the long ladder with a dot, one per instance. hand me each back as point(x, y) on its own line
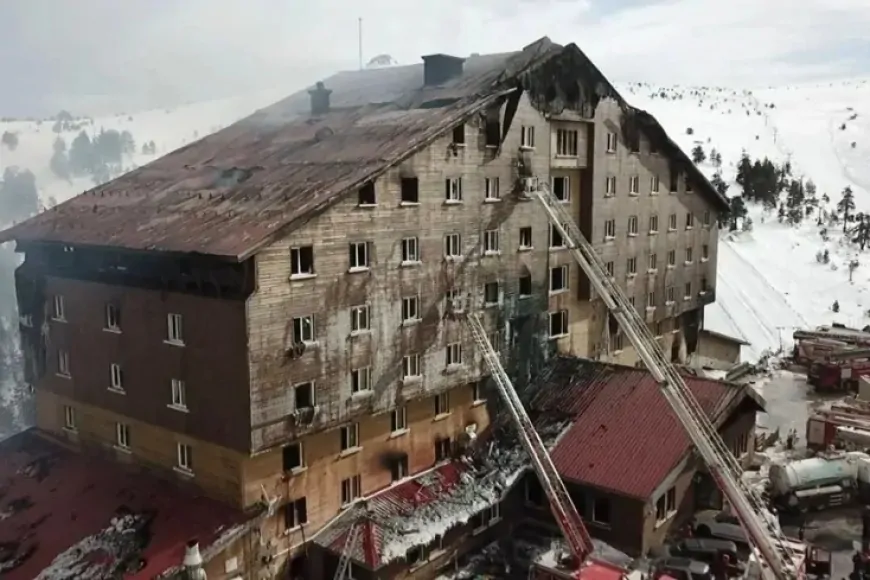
point(625, 437)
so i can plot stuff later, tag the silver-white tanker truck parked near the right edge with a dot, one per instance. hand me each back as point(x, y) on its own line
point(820, 482)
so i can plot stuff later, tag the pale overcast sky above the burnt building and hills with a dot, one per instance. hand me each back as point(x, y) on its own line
point(93, 54)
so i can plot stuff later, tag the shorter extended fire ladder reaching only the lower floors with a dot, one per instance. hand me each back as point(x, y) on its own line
point(575, 533)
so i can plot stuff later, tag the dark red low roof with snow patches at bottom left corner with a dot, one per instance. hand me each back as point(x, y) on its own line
point(54, 502)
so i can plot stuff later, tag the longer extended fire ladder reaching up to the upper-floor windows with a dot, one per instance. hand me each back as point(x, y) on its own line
point(761, 526)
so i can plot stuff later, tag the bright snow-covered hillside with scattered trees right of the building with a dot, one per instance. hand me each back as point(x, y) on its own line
point(770, 281)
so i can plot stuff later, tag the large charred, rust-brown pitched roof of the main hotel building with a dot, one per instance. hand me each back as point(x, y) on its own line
point(233, 192)
